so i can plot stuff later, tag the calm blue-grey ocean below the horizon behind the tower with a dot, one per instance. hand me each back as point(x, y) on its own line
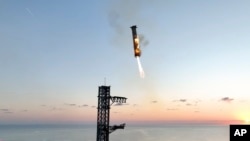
point(130, 133)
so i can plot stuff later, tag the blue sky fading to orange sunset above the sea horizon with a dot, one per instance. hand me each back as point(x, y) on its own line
point(55, 54)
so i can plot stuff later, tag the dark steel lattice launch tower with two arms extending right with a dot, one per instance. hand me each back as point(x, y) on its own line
point(103, 113)
